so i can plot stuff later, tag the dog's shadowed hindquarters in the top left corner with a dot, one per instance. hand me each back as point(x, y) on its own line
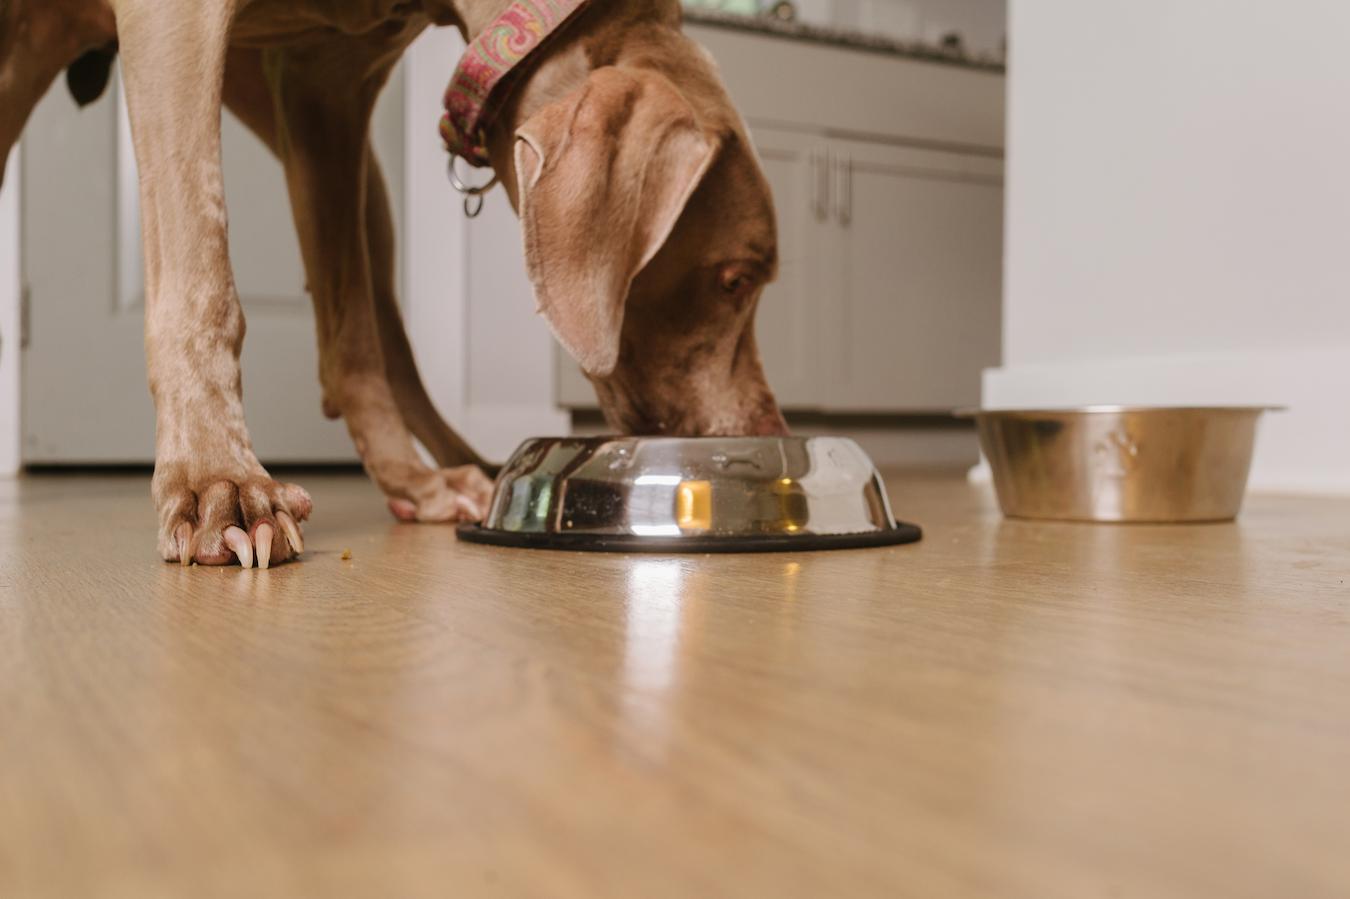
point(40, 38)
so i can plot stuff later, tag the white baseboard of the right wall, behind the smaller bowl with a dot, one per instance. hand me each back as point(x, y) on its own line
point(1305, 450)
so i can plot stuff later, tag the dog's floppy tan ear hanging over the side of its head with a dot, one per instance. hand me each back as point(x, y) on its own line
point(604, 175)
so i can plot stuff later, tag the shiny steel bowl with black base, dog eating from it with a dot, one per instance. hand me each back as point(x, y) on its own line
point(708, 495)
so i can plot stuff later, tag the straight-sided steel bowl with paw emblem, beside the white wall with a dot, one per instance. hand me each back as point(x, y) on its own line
point(1121, 464)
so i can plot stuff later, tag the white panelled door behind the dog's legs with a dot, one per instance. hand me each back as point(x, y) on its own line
point(84, 381)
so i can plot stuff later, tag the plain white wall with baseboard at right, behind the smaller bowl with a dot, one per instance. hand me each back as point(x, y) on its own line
point(1179, 217)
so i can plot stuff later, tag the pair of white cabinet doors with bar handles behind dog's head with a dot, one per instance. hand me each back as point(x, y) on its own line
point(889, 298)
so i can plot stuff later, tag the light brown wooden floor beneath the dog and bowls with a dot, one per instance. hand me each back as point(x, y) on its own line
point(1004, 711)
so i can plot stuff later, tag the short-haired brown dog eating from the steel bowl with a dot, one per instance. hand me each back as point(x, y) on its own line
point(649, 231)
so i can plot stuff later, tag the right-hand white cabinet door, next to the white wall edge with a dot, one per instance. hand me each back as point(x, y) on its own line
point(915, 314)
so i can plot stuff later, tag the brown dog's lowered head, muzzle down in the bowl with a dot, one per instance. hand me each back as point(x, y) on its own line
point(650, 236)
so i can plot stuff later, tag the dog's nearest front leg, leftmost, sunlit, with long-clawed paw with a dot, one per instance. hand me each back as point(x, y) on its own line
point(215, 500)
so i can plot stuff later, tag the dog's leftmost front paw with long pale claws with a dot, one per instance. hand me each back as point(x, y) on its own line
point(215, 522)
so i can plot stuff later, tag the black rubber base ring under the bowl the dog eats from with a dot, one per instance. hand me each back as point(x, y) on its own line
point(904, 534)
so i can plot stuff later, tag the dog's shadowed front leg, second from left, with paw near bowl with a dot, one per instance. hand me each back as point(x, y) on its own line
point(325, 92)
